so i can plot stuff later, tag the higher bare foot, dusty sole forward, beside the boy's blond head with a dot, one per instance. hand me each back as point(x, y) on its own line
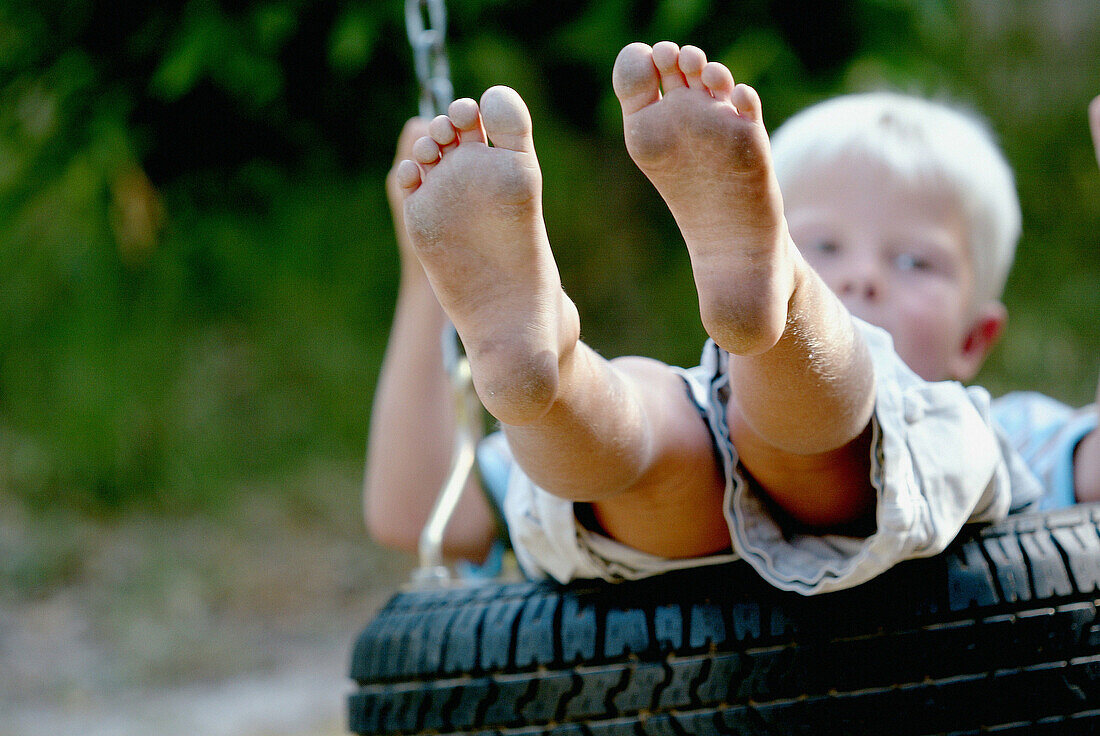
point(703, 146)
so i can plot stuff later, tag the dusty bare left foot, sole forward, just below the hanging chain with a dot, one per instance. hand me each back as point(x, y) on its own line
point(475, 216)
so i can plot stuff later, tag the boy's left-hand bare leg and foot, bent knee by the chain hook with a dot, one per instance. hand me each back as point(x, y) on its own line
point(581, 427)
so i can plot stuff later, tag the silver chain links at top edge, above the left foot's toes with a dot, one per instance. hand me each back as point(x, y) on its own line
point(430, 54)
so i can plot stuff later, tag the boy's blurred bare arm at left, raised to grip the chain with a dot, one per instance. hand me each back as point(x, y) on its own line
point(412, 420)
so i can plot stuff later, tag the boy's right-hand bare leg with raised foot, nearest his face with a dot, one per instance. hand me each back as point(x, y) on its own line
point(802, 386)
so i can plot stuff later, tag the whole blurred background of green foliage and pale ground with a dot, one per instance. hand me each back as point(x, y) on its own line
point(197, 274)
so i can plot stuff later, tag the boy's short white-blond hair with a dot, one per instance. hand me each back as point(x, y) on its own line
point(922, 142)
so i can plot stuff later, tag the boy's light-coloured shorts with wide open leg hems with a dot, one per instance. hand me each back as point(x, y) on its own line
point(938, 463)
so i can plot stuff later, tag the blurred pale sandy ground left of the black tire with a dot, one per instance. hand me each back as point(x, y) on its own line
point(240, 625)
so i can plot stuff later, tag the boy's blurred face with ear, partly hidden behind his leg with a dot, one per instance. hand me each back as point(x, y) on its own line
point(897, 256)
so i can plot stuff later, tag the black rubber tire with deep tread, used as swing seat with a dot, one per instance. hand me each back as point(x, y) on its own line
point(997, 635)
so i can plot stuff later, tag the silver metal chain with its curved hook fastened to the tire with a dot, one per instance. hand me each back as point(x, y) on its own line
point(434, 73)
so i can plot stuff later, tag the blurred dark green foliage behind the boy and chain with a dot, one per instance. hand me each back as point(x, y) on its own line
point(197, 268)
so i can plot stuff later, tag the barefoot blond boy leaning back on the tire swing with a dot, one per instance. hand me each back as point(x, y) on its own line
point(802, 444)
